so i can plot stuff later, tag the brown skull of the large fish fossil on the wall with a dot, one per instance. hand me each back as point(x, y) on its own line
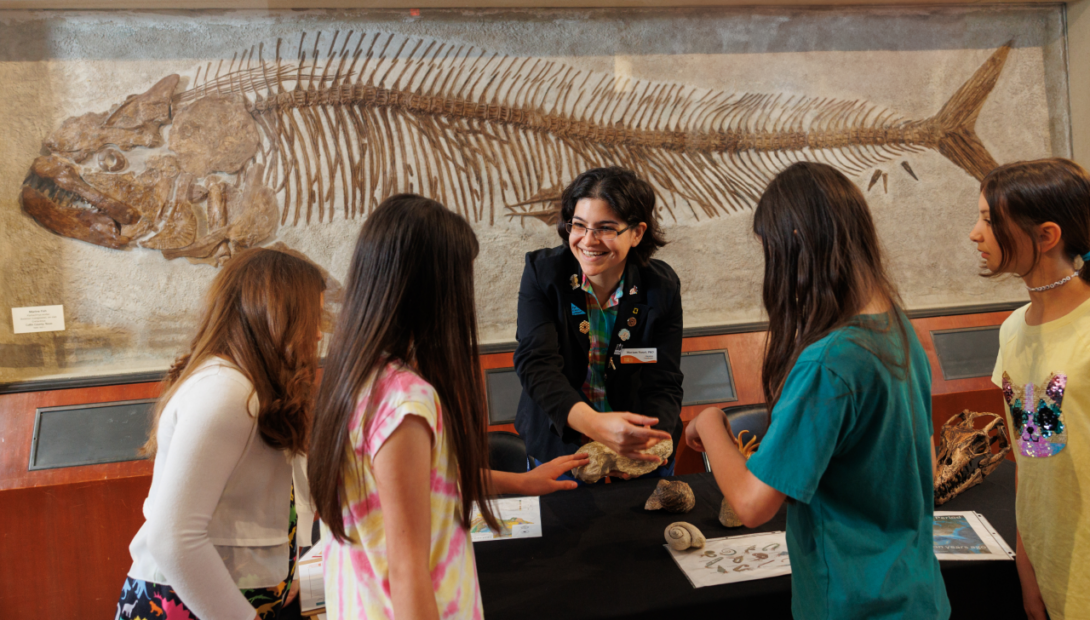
point(198, 194)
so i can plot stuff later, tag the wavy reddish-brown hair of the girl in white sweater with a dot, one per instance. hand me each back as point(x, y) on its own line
point(262, 314)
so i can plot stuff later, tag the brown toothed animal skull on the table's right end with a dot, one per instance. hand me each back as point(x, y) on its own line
point(965, 453)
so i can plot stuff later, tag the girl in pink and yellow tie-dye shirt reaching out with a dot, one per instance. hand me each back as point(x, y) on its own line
point(399, 447)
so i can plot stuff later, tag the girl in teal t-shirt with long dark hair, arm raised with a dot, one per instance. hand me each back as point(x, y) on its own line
point(850, 390)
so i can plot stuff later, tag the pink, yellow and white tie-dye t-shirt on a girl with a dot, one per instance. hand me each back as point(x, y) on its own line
point(357, 575)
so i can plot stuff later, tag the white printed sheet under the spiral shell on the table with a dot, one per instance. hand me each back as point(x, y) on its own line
point(735, 560)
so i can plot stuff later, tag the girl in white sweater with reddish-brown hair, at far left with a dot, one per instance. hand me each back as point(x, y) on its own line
point(219, 541)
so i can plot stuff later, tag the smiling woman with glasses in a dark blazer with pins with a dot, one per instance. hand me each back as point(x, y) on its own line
point(582, 306)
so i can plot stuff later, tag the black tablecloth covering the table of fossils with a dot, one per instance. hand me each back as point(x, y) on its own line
point(602, 556)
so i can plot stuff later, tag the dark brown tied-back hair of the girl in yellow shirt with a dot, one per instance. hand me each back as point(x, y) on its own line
point(1026, 194)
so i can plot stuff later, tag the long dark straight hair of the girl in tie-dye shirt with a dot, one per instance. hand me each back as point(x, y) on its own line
point(408, 298)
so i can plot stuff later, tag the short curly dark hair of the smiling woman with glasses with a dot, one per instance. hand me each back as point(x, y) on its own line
point(631, 198)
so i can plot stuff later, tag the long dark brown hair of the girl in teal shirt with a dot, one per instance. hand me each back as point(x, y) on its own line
point(822, 263)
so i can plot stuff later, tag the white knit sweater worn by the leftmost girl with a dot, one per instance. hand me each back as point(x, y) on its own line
point(219, 509)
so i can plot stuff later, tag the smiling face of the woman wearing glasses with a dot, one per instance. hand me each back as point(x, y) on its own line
point(598, 257)
